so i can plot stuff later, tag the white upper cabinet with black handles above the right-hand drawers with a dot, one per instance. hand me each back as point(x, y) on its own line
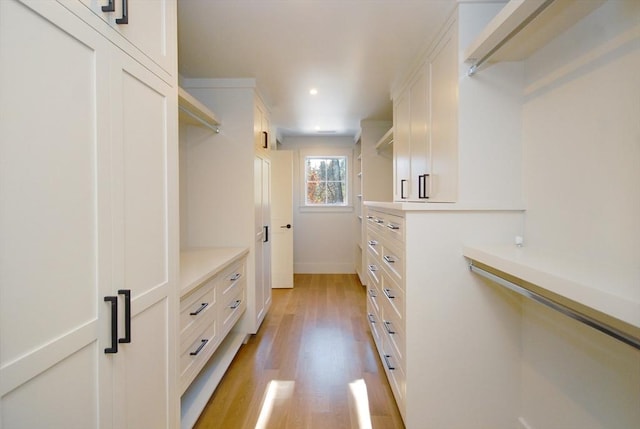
point(425, 143)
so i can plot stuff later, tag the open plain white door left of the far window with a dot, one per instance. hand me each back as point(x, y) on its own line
point(282, 218)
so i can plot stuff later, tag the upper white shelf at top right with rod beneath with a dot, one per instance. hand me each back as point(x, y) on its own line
point(524, 26)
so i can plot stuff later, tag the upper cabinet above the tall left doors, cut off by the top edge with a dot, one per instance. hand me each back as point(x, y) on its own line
point(147, 27)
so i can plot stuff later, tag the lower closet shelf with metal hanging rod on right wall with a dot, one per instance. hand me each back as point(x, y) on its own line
point(570, 287)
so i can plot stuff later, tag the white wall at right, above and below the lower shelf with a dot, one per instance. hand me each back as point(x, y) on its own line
point(581, 143)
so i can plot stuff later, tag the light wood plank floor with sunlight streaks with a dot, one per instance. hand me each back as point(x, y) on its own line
point(312, 365)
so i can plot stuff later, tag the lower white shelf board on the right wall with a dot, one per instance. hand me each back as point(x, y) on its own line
point(578, 286)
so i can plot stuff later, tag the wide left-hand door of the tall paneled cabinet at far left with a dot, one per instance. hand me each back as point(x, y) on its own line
point(54, 218)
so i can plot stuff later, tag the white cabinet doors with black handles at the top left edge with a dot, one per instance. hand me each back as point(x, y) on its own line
point(150, 25)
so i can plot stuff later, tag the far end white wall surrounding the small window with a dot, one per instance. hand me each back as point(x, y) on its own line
point(323, 242)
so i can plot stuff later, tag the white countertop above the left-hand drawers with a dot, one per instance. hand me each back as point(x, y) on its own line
point(199, 264)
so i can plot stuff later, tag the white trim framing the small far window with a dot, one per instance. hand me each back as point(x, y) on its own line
point(328, 152)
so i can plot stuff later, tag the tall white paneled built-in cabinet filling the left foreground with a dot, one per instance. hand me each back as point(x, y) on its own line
point(88, 300)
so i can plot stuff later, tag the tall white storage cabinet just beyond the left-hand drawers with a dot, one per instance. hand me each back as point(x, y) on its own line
point(232, 169)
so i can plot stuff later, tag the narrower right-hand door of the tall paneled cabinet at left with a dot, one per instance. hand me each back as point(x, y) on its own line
point(144, 114)
